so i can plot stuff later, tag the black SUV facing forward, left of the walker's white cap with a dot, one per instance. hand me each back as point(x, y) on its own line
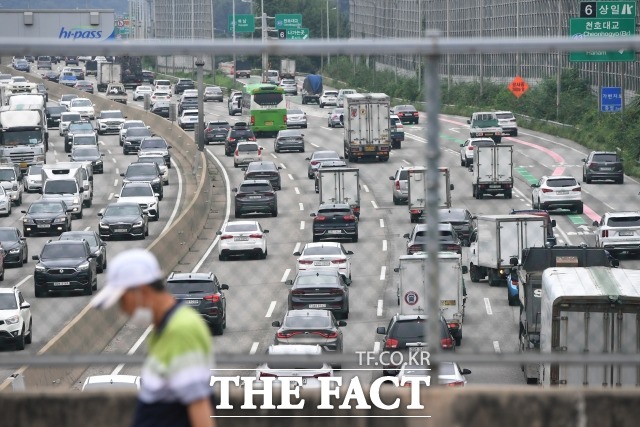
point(65, 266)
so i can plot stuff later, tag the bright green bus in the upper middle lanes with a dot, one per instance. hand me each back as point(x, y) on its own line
point(265, 108)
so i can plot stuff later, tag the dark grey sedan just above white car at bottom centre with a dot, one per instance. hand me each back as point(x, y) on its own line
point(310, 327)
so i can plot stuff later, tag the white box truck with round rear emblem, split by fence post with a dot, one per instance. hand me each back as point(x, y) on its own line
point(412, 288)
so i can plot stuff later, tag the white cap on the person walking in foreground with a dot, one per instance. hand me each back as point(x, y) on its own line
point(129, 269)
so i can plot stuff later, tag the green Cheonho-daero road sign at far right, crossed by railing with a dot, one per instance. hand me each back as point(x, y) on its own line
point(602, 27)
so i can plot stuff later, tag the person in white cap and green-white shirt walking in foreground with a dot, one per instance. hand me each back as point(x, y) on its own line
point(175, 377)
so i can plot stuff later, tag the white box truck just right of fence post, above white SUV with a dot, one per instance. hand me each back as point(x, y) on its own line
point(493, 171)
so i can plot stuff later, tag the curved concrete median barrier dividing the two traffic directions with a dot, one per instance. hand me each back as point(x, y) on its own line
point(91, 330)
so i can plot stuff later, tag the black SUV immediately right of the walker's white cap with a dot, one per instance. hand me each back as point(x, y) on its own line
point(203, 292)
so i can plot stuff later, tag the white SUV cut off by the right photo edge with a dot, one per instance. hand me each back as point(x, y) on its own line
point(618, 231)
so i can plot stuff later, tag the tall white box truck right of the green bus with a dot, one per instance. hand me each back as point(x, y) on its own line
point(367, 127)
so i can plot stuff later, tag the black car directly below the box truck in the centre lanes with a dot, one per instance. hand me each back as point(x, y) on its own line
point(334, 221)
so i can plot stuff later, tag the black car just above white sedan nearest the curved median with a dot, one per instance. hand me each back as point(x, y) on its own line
point(255, 195)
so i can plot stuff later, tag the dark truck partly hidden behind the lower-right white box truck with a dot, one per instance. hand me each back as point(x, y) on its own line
point(525, 289)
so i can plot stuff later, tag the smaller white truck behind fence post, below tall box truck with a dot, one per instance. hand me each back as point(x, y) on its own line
point(416, 190)
